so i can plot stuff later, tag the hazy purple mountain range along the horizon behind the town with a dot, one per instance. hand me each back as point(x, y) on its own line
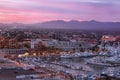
point(73, 24)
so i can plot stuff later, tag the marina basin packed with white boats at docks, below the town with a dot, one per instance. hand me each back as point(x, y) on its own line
point(81, 67)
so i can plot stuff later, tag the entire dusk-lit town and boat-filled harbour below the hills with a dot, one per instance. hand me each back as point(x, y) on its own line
point(55, 55)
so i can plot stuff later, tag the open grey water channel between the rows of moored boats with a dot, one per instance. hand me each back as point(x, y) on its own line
point(93, 69)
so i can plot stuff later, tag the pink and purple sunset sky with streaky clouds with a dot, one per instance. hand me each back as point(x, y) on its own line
point(34, 11)
